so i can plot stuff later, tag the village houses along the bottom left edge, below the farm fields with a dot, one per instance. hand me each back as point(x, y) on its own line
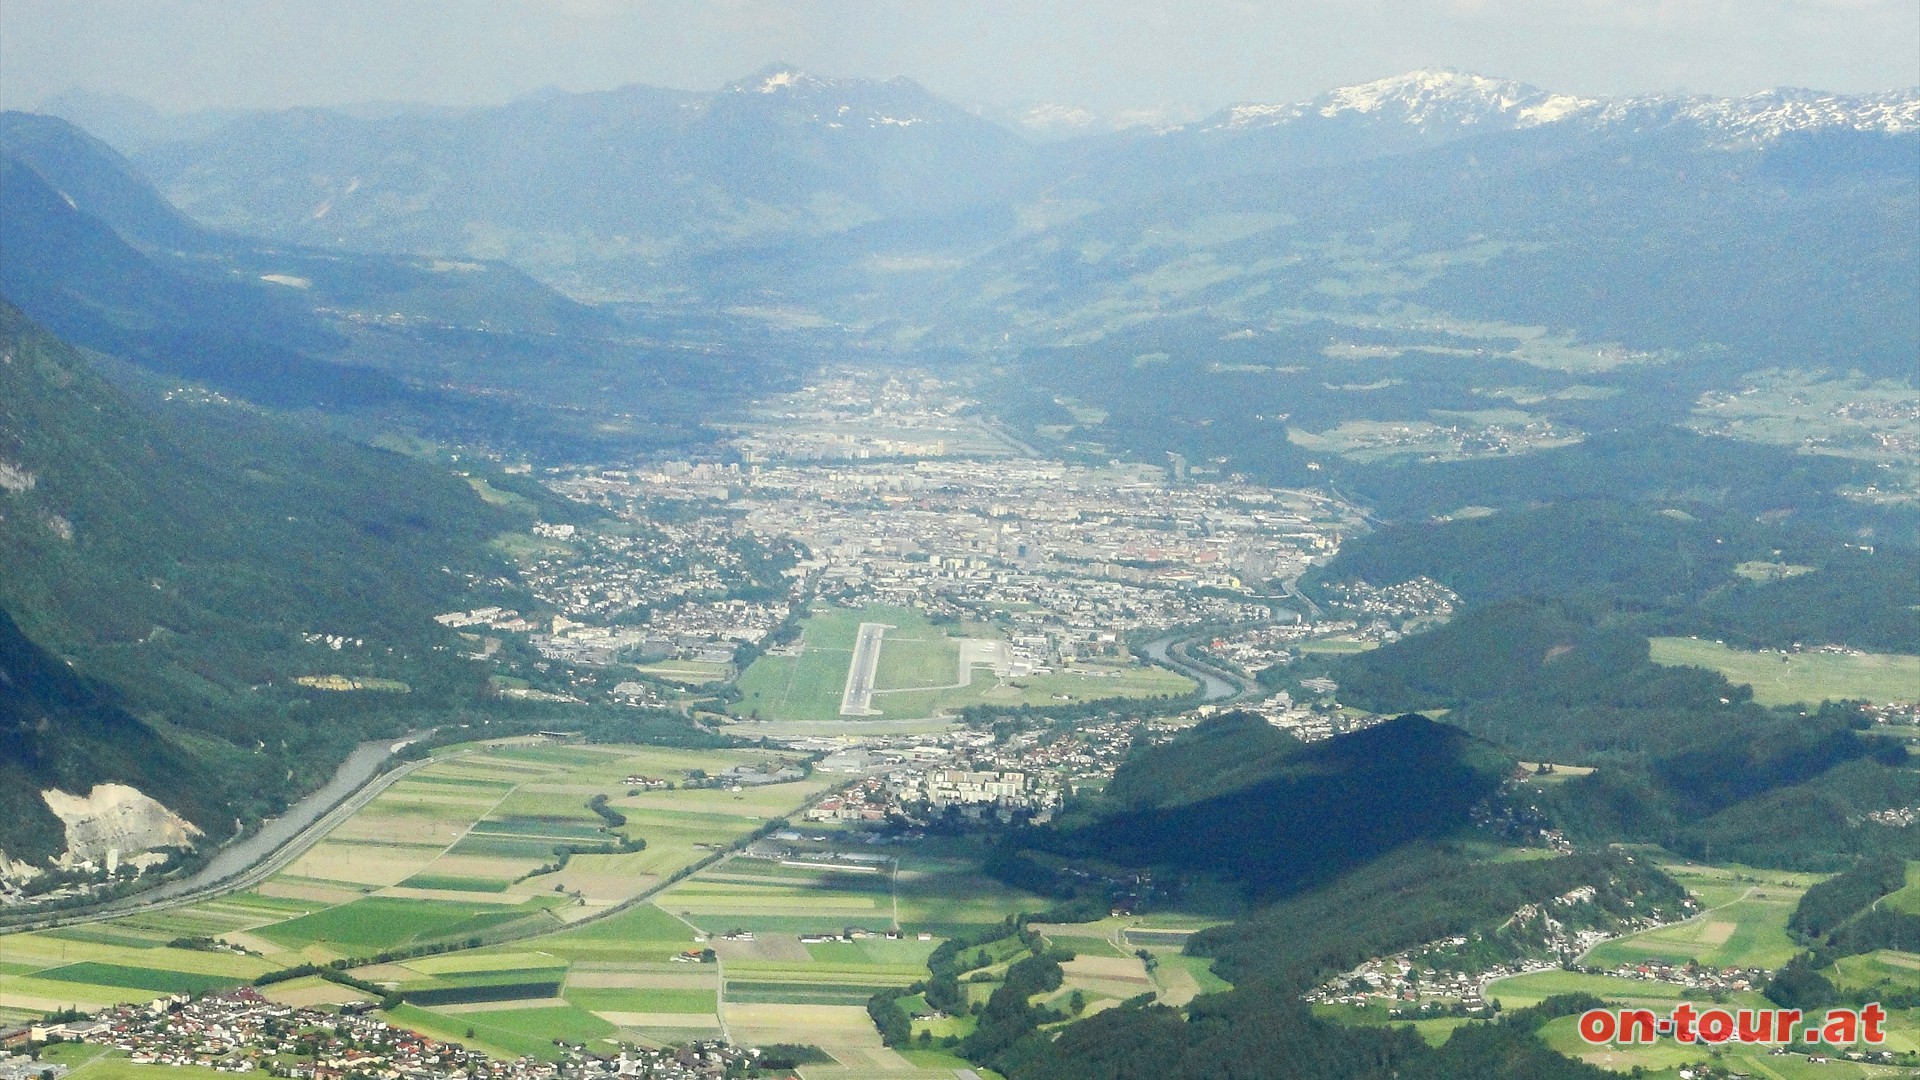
point(241, 1031)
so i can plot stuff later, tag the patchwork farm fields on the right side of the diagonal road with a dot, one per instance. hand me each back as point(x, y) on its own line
point(617, 981)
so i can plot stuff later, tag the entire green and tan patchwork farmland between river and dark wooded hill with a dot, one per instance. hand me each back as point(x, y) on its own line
point(450, 873)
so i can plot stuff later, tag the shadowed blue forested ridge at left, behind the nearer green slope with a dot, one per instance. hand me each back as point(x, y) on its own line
point(460, 349)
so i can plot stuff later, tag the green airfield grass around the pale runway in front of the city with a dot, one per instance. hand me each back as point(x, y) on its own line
point(917, 675)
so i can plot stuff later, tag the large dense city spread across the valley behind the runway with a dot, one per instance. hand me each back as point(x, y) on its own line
point(1072, 558)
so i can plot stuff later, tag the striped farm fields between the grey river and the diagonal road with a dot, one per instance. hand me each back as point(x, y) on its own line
point(448, 854)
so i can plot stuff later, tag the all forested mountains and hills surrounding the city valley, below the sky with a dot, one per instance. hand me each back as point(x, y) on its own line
point(262, 378)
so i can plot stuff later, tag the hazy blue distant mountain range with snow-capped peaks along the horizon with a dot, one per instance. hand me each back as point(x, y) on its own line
point(1668, 222)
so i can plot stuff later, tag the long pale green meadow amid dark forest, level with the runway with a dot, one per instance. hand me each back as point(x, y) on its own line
point(1787, 679)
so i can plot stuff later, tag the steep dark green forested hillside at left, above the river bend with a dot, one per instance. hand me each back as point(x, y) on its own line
point(189, 558)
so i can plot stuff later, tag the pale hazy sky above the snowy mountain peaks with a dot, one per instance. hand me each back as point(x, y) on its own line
point(187, 55)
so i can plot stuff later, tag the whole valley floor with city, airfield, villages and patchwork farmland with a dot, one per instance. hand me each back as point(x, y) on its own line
point(905, 637)
